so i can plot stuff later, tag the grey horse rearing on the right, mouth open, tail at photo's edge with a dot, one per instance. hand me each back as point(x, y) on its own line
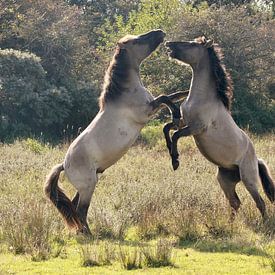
point(206, 116)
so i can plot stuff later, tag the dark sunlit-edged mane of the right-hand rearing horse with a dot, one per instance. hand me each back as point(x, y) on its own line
point(223, 79)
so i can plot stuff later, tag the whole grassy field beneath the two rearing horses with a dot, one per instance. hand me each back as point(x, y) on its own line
point(140, 208)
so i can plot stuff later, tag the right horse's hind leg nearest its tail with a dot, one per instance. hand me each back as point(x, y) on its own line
point(250, 177)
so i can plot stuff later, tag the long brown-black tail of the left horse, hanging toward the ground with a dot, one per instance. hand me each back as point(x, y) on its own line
point(59, 199)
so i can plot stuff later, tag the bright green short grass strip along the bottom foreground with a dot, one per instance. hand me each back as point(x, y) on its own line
point(187, 261)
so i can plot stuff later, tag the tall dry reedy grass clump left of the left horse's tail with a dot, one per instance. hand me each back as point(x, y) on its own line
point(27, 228)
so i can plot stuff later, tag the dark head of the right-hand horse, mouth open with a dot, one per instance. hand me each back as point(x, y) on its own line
point(190, 52)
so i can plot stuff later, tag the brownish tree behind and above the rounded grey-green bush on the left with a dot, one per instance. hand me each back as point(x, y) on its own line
point(56, 33)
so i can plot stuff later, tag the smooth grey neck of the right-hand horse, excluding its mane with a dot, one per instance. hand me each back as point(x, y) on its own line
point(202, 85)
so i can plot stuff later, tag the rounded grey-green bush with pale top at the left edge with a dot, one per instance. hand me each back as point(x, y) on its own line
point(29, 103)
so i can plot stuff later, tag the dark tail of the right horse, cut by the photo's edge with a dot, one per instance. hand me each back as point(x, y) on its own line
point(267, 181)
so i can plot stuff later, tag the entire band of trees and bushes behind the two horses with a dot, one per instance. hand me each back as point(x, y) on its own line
point(54, 53)
